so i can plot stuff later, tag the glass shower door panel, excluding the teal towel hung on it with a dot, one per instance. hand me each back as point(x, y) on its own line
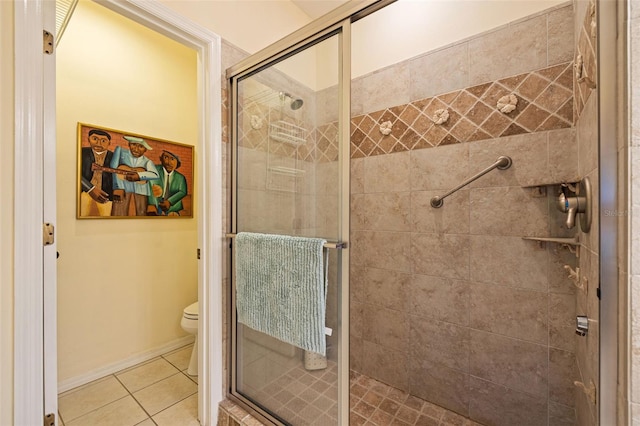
point(287, 161)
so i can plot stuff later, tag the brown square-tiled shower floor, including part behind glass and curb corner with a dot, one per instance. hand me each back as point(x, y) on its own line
point(305, 398)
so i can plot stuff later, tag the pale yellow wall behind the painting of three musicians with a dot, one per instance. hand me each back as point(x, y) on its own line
point(122, 283)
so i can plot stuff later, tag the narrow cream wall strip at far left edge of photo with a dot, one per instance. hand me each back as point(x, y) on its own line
point(6, 213)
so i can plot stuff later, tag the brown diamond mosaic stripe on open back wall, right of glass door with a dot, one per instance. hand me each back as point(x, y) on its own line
point(544, 102)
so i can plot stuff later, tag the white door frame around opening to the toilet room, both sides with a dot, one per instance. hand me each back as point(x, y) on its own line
point(35, 355)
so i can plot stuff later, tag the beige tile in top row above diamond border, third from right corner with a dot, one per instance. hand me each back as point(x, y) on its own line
point(439, 72)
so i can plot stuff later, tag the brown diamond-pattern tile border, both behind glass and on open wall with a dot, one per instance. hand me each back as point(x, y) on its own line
point(525, 103)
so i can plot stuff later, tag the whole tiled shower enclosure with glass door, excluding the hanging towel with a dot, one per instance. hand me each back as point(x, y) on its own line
point(485, 307)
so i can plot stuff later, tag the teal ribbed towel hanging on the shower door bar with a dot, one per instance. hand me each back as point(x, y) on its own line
point(281, 288)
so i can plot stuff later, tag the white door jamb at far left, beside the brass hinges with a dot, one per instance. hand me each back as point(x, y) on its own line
point(28, 215)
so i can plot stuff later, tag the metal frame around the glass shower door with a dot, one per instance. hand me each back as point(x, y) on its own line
point(338, 22)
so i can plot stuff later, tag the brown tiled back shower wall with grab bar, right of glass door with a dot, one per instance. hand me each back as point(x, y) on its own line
point(456, 306)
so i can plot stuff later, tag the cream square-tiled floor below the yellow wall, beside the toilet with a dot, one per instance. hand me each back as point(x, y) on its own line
point(156, 392)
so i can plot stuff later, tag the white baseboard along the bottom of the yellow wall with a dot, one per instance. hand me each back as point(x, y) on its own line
point(101, 372)
